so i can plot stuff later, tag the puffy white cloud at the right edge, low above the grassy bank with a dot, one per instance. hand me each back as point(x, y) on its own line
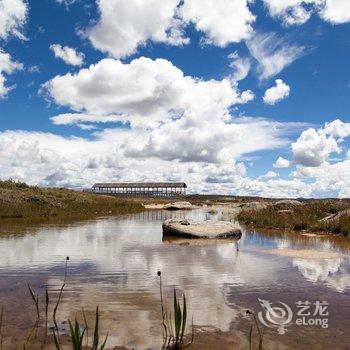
point(311, 156)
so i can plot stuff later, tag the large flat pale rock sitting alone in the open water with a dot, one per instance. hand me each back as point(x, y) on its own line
point(201, 229)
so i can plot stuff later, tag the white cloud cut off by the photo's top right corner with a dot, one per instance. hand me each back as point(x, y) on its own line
point(299, 11)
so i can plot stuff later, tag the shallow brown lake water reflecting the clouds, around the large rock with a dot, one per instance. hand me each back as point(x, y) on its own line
point(114, 263)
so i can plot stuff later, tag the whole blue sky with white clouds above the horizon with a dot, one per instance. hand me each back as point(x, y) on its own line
point(240, 97)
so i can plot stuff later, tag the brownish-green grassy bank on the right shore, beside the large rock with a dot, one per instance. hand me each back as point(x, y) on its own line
point(306, 217)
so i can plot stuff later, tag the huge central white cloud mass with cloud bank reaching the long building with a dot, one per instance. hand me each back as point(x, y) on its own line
point(168, 125)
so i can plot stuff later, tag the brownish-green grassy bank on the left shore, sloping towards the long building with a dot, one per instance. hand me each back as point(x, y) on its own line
point(19, 200)
